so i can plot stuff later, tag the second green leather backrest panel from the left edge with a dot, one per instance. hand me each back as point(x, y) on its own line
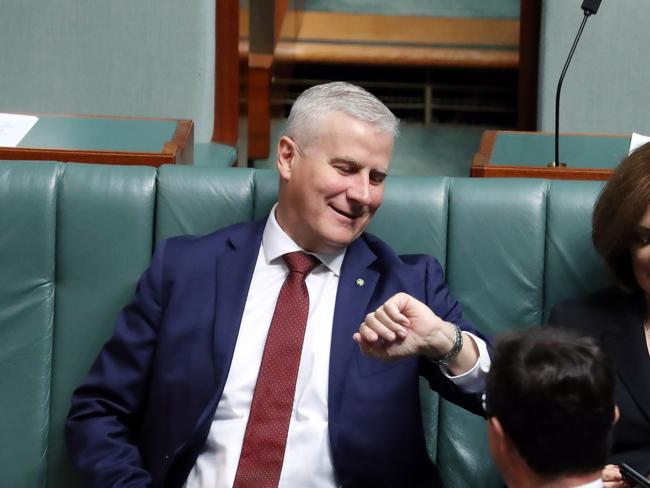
point(104, 230)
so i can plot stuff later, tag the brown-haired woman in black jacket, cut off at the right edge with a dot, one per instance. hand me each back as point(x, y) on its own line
point(620, 316)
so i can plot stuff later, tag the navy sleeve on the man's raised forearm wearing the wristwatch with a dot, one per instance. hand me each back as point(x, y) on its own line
point(447, 308)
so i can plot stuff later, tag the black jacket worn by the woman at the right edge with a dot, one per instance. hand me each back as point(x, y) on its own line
point(615, 318)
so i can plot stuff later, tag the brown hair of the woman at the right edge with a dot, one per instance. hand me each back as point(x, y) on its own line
point(620, 206)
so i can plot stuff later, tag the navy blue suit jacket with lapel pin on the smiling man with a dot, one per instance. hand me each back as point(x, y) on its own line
point(143, 414)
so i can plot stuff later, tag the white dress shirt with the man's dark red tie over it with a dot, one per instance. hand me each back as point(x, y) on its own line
point(308, 458)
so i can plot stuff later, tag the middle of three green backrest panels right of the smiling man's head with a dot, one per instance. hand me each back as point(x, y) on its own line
point(495, 268)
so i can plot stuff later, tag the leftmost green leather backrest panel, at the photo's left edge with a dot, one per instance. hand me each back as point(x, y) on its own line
point(27, 276)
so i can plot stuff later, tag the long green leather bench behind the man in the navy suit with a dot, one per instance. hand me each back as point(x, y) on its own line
point(77, 236)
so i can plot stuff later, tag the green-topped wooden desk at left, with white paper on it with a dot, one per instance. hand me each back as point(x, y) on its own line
point(106, 140)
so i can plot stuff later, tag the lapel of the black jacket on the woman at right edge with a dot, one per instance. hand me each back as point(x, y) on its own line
point(626, 344)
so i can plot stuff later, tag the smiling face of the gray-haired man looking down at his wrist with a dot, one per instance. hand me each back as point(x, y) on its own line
point(331, 187)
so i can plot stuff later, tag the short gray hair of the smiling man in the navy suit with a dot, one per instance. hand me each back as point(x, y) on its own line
point(338, 96)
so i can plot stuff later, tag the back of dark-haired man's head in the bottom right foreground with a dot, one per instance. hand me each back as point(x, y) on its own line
point(550, 406)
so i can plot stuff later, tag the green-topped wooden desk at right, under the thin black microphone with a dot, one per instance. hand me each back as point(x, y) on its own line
point(526, 155)
